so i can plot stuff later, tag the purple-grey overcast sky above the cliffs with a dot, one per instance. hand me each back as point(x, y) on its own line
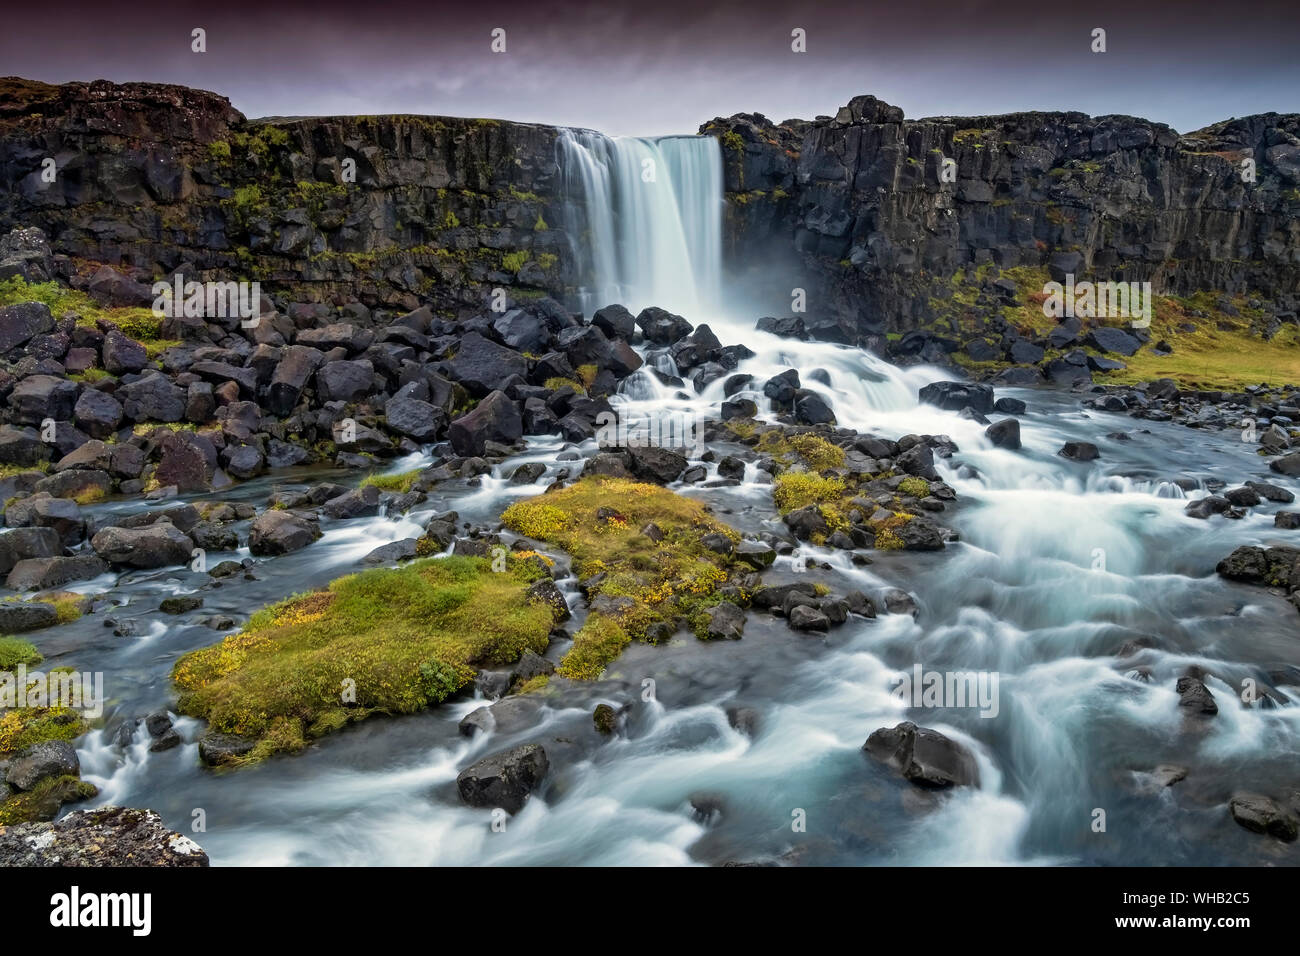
point(669, 66)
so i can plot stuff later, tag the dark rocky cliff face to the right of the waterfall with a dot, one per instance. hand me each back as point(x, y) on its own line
point(853, 207)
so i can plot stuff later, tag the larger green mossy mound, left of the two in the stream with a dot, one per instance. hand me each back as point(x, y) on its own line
point(404, 638)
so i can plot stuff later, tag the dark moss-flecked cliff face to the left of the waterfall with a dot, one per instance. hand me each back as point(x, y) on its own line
point(161, 178)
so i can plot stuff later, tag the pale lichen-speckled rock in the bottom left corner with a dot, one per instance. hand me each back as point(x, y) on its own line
point(106, 837)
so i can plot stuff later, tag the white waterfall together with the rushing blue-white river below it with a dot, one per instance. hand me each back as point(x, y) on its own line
point(1077, 730)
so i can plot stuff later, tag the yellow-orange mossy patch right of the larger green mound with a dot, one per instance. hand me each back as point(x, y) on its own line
point(600, 522)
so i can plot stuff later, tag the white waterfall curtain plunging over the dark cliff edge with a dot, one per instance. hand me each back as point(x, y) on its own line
point(645, 219)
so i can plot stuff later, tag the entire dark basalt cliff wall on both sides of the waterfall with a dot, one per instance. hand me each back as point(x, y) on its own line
point(852, 209)
